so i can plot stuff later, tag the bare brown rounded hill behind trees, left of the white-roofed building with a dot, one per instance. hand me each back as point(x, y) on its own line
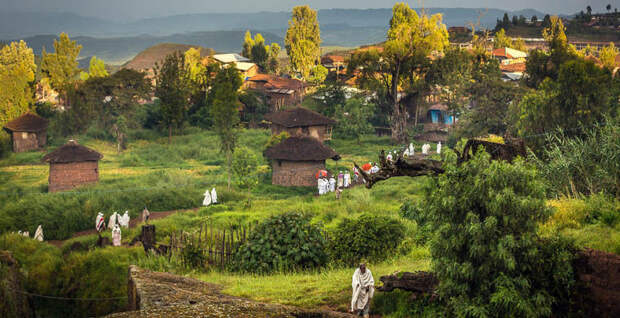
point(156, 54)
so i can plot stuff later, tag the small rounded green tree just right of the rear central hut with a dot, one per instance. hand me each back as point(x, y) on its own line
point(354, 119)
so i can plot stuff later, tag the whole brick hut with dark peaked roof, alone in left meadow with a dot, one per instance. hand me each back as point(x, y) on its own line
point(72, 165)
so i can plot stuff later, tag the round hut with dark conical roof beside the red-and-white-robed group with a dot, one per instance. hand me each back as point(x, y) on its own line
point(296, 160)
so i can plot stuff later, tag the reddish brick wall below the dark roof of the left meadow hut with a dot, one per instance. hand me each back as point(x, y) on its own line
point(66, 176)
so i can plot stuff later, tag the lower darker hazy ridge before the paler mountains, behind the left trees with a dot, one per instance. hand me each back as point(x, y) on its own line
point(122, 49)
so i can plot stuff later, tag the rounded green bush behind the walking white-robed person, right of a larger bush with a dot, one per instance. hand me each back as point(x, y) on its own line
point(368, 237)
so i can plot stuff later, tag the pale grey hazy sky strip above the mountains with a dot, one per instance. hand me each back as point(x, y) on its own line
point(132, 9)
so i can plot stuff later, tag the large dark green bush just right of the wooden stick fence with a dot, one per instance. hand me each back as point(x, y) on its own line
point(283, 242)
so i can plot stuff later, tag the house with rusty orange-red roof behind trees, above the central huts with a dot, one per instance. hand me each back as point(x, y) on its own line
point(280, 91)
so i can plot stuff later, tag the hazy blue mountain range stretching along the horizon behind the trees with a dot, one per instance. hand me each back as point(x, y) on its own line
point(119, 42)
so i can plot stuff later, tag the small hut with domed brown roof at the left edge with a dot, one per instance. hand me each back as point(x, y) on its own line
point(28, 132)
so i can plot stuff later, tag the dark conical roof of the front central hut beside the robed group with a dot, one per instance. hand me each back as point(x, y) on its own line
point(301, 149)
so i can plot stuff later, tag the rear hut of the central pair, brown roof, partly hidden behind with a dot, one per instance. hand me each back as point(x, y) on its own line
point(300, 122)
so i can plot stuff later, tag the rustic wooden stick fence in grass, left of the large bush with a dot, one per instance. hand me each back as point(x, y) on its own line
point(215, 246)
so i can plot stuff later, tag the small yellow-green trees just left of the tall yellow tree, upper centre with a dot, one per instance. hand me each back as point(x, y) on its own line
point(265, 56)
